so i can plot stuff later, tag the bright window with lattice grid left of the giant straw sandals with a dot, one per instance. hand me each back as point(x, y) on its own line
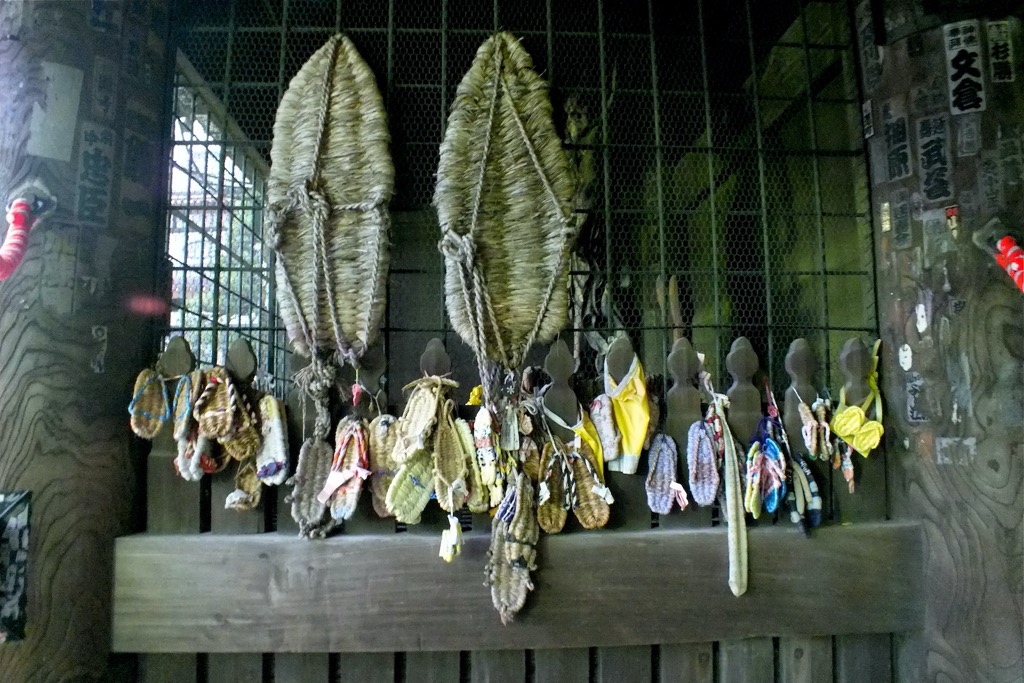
point(222, 287)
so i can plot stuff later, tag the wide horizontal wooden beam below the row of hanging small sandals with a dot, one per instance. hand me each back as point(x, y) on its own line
point(275, 593)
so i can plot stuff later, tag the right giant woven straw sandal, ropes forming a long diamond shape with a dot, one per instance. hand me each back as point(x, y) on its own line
point(503, 196)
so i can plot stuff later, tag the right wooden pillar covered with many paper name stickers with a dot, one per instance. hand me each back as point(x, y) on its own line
point(947, 157)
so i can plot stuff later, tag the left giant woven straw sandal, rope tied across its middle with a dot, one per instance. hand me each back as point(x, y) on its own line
point(331, 180)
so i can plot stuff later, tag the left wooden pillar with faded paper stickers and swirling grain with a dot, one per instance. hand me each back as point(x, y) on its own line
point(84, 92)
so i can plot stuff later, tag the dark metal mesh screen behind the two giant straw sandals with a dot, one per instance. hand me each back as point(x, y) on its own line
point(723, 141)
